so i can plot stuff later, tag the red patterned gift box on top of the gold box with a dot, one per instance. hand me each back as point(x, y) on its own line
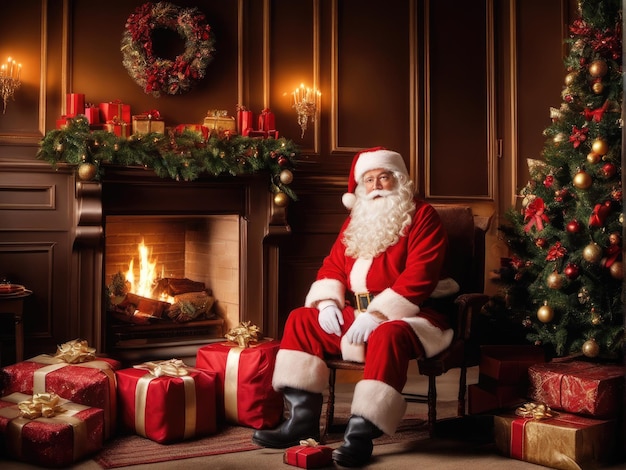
point(578, 387)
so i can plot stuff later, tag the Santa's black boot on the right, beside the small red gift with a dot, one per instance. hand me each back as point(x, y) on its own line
point(357, 447)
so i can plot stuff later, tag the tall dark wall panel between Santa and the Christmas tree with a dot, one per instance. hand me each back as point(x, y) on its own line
point(460, 108)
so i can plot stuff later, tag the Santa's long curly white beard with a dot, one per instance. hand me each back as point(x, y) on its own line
point(377, 222)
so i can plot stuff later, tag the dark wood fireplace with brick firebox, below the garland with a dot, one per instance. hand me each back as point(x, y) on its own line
point(221, 232)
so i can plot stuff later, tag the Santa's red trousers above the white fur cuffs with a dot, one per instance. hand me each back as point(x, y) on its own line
point(389, 348)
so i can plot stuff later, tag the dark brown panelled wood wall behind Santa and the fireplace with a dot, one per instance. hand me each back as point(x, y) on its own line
point(461, 88)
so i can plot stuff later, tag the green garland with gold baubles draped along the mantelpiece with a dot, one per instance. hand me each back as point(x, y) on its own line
point(181, 156)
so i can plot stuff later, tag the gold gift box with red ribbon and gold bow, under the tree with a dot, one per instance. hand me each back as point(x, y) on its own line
point(567, 441)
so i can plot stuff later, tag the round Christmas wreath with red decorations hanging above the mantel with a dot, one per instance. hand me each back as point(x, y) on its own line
point(157, 75)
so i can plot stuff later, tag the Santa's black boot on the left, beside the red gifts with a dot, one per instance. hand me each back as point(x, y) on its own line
point(303, 422)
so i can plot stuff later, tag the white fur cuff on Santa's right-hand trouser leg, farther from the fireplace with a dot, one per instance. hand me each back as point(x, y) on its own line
point(379, 403)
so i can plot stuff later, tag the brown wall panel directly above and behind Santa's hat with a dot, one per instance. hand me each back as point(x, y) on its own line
point(371, 77)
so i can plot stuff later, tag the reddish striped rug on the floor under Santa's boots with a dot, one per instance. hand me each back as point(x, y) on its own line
point(131, 450)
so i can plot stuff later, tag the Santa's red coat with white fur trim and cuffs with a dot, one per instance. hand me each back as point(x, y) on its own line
point(401, 278)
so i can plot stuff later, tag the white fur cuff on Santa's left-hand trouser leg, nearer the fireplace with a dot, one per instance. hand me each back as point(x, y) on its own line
point(299, 370)
